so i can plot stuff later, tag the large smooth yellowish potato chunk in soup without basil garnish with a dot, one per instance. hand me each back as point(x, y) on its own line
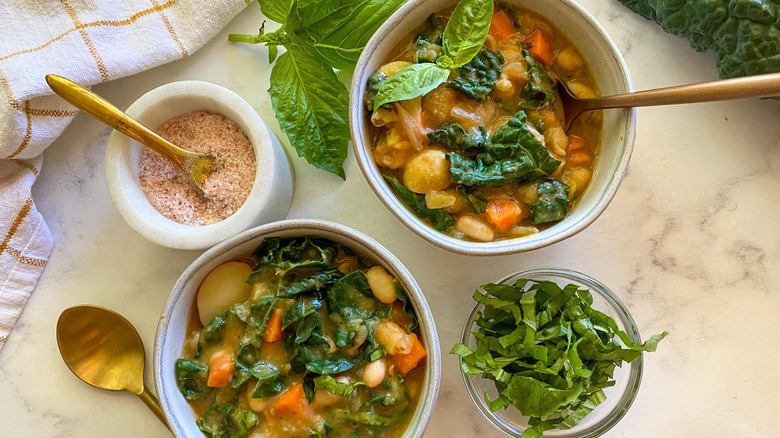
point(224, 286)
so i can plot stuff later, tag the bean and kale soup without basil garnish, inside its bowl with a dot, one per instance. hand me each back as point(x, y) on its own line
point(303, 338)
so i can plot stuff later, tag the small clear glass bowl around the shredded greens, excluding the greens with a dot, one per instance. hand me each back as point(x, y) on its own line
point(619, 397)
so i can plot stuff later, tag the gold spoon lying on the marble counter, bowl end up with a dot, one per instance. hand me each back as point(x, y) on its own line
point(104, 350)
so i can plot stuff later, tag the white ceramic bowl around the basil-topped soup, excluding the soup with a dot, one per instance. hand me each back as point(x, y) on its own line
point(617, 140)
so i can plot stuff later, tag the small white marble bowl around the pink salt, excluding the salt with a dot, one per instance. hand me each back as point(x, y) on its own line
point(271, 194)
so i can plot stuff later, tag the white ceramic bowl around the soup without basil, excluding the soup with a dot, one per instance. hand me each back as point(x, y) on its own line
point(171, 331)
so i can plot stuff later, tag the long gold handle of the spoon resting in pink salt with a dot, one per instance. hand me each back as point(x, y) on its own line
point(103, 111)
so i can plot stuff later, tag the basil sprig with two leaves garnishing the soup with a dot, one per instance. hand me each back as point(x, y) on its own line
point(463, 38)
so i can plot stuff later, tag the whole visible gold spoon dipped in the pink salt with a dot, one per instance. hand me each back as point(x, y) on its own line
point(195, 165)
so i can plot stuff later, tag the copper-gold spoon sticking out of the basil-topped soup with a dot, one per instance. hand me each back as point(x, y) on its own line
point(767, 85)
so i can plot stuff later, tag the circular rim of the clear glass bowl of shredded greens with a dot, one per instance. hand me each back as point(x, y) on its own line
point(636, 368)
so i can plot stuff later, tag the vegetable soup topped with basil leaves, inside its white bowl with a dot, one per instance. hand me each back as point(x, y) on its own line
point(470, 131)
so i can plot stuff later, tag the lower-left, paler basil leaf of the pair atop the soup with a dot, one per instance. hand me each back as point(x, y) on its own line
point(412, 81)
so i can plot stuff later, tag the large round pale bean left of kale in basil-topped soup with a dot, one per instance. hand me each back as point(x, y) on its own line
point(427, 171)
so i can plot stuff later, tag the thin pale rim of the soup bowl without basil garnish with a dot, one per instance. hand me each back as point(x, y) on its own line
point(427, 401)
